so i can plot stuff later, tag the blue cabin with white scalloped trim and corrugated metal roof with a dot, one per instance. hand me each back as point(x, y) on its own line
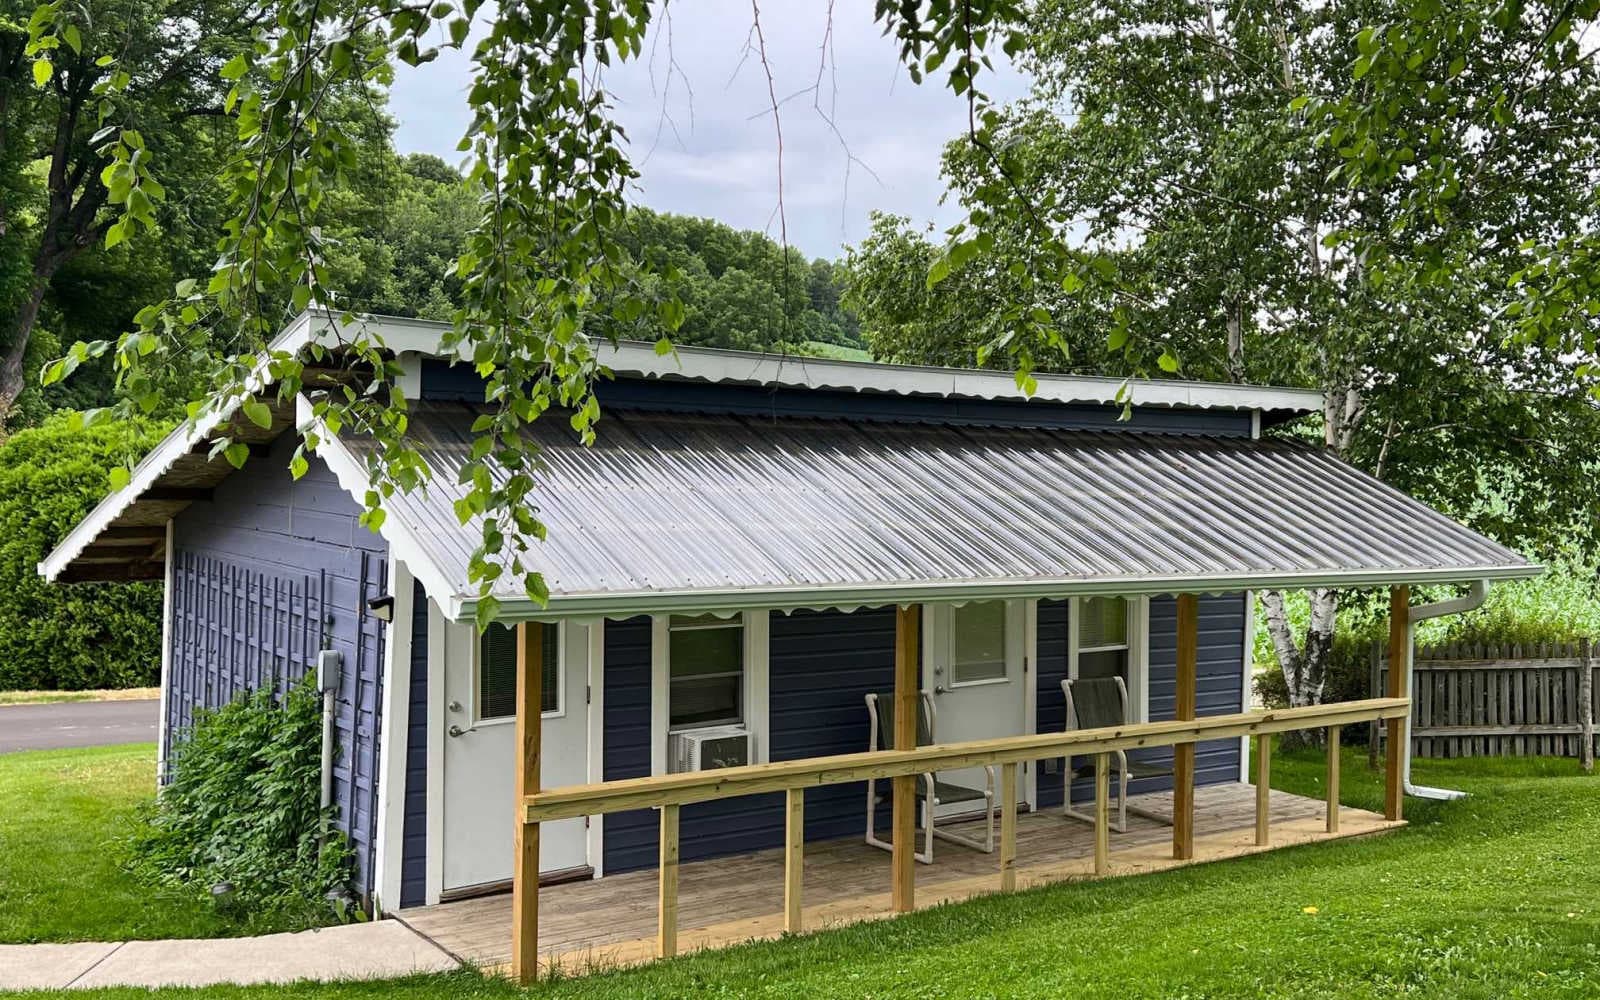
point(726, 567)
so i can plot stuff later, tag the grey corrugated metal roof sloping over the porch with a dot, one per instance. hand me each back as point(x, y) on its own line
point(676, 511)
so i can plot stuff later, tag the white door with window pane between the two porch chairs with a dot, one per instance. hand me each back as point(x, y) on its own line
point(974, 660)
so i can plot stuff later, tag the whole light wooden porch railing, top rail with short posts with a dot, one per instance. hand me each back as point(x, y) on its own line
point(670, 793)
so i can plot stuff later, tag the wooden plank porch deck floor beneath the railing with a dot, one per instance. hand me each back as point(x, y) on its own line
point(730, 900)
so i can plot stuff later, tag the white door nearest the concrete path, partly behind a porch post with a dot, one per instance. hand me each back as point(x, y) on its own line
point(481, 751)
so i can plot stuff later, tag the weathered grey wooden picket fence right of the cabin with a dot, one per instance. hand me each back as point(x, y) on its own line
point(1476, 700)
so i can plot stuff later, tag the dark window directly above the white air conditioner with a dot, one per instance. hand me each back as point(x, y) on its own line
point(705, 671)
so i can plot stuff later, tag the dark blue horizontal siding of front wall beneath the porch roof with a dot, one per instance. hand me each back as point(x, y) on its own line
point(825, 663)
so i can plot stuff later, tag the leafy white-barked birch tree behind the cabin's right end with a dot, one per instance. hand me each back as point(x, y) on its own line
point(1170, 140)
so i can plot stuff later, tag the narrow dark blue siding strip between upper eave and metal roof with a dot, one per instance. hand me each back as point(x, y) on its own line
point(460, 383)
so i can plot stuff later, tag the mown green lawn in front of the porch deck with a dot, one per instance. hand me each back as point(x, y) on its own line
point(1490, 897)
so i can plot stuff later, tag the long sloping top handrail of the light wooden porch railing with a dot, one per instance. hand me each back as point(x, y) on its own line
point(754, 780)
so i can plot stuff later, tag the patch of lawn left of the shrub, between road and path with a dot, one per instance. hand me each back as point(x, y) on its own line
point(62, 879)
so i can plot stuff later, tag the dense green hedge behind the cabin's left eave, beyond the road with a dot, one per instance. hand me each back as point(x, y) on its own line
point(81, 636)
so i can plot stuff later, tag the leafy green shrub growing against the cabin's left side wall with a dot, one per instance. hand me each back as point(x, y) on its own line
point(242, 814)
